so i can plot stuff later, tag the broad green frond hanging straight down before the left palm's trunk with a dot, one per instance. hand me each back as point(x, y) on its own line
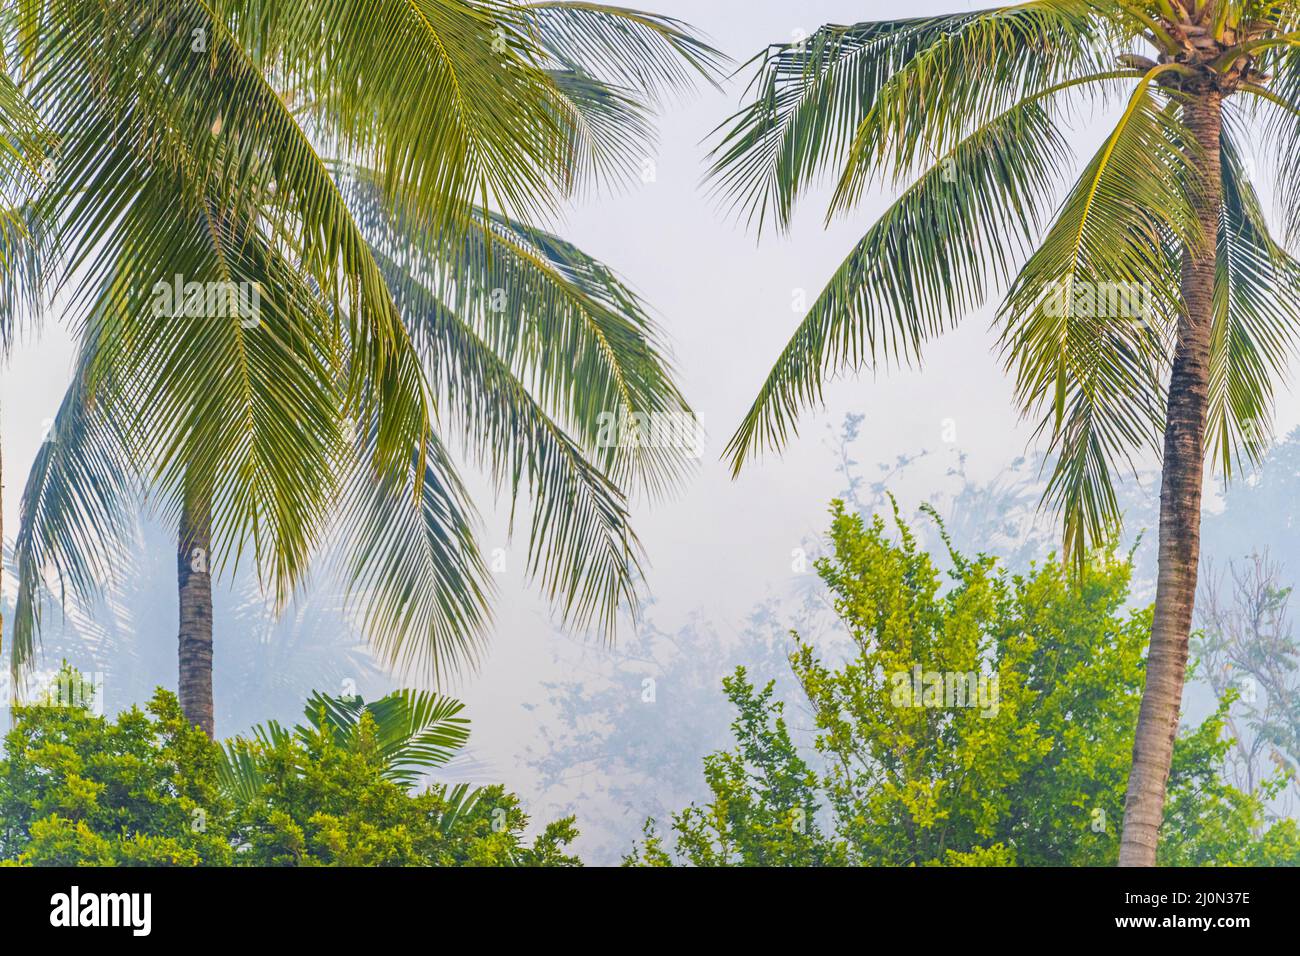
point(242, 401)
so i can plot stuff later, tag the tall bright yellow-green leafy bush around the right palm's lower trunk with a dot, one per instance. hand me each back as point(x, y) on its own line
point(1011, 750)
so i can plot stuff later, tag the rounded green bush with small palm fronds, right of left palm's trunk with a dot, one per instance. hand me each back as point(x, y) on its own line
point(337, 791)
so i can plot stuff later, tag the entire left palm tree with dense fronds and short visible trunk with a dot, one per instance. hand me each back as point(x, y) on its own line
point(190, 140)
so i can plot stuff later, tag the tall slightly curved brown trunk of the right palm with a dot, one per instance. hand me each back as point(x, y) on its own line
point(1180, 509)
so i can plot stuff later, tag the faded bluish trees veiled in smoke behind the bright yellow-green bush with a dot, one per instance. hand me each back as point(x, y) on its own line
point(605, 750)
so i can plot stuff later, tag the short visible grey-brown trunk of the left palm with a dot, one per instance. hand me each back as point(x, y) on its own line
point(193, 563)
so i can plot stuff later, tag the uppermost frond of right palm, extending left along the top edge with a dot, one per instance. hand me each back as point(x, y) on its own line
point(818, 102)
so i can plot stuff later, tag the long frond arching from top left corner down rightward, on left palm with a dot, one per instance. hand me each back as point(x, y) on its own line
point(163, 107)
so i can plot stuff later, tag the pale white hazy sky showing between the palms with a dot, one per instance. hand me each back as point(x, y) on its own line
point(726, 302)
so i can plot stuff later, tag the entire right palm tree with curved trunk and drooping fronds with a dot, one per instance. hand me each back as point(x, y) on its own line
point(968, 110)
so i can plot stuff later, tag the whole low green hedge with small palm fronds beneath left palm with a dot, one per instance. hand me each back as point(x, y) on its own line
point(341, 790)
